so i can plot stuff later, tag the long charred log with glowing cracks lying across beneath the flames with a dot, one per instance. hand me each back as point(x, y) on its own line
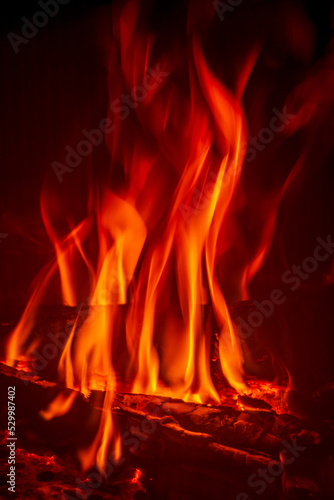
point(249, 437)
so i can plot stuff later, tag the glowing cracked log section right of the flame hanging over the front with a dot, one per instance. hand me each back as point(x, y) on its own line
point(251, 431)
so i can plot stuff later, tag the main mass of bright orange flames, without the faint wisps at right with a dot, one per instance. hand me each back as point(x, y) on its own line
point(183, 248)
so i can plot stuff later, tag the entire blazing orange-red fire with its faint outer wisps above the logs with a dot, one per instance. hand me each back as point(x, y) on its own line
point(154, 233)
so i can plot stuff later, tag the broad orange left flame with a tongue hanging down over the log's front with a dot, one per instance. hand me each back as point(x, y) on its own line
point(86, 363)
